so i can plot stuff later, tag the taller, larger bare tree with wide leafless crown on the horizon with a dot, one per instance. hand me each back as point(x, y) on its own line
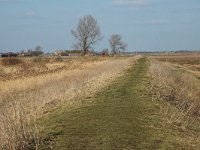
point(87, 34)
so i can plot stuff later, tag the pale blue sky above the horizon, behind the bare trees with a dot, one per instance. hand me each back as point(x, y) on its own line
point(145, 25)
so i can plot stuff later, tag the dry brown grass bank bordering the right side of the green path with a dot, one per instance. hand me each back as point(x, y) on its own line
point(178, 88)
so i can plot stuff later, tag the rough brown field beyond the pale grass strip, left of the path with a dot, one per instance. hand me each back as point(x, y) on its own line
point(37, 66)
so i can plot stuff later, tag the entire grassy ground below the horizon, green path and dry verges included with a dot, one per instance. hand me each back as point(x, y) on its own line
point(138, 102)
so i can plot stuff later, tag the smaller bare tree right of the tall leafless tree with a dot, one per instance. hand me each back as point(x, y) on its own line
point(116, 44)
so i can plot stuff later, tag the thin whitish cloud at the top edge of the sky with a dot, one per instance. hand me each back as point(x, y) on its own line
point(132, 2)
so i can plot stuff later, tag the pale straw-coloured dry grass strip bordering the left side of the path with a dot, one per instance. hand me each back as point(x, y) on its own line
point(23, 100)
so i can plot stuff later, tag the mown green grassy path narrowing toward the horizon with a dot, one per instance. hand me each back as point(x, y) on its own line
point(121, 116)
